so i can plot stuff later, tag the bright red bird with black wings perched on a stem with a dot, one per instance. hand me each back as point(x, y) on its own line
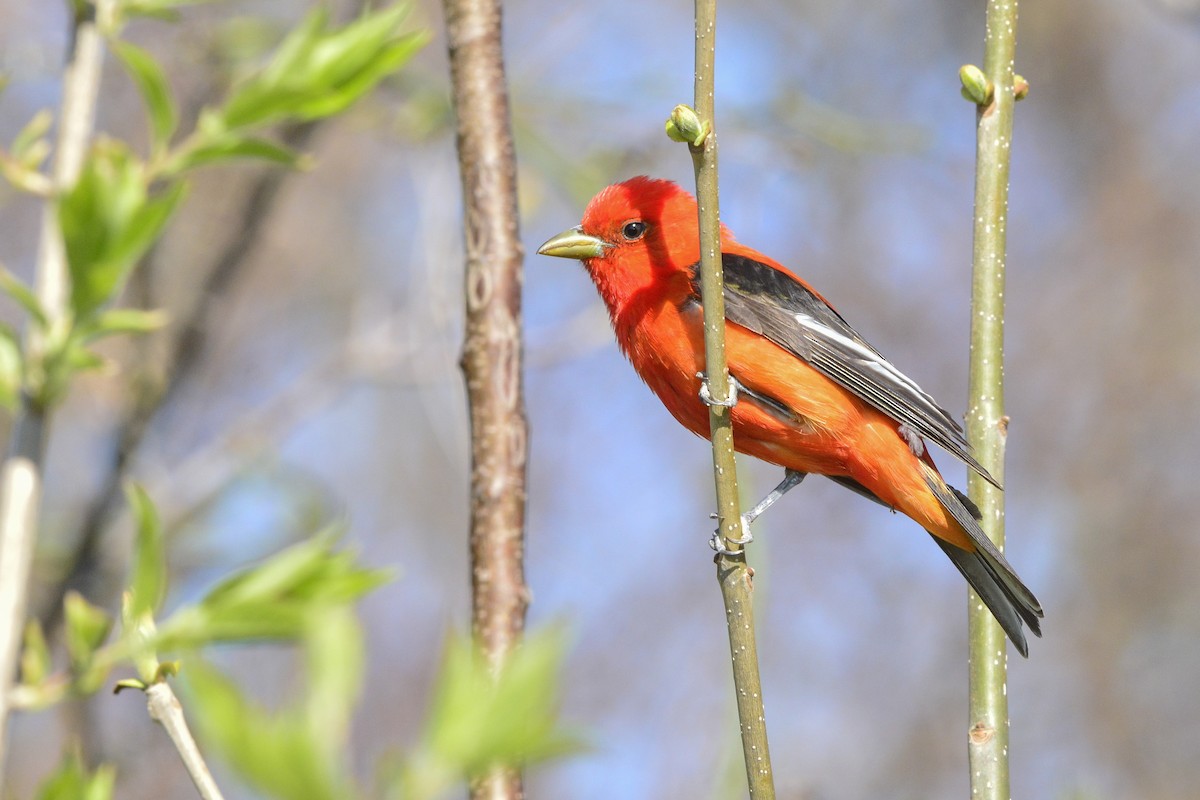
point(814, 396)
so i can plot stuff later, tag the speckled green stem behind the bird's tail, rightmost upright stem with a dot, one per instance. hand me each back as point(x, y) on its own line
point(987, 424)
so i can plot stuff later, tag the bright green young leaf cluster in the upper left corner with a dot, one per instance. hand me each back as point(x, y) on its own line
point(122, 203)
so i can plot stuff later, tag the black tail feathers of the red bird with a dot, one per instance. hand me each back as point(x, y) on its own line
point(987, 570)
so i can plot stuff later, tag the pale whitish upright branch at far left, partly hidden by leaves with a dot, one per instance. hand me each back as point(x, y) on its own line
point(21, 478)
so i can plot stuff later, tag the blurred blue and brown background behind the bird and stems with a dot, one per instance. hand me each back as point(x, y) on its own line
point(310, 375)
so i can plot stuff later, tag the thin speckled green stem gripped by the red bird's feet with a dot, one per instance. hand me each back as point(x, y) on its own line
point(736, 579)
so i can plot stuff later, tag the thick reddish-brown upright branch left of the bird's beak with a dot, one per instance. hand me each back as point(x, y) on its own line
point(493, 351)
